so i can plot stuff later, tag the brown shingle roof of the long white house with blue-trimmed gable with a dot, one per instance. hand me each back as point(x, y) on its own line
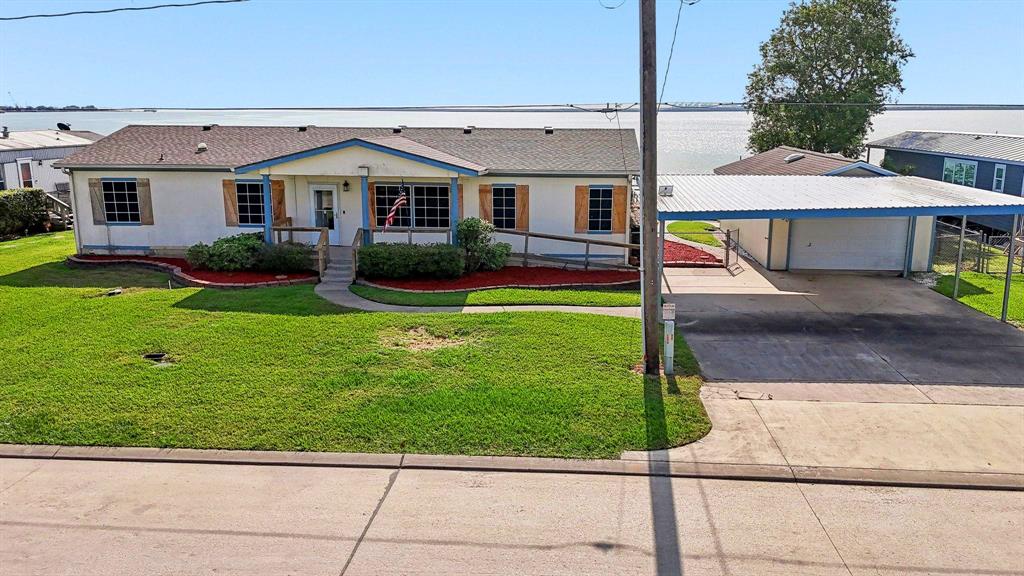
point(496, 150)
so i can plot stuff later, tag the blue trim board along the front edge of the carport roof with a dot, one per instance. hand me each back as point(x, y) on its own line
point(844, 213)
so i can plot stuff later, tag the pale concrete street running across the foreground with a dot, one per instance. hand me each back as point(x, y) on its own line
point(125, 518)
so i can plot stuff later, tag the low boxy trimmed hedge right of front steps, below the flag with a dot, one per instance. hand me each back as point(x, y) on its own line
point(412, 261)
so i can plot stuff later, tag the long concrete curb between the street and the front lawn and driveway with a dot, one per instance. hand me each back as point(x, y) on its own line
point(711, 471)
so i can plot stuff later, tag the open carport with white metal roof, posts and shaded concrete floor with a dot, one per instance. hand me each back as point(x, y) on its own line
point(834, 328)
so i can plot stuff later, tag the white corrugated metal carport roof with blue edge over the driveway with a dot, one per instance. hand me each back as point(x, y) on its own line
point(706, 196)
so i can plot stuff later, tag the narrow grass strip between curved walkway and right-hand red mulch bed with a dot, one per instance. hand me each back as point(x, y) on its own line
point(501, 298)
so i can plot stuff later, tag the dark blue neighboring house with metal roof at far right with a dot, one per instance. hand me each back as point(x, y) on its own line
point(993, 162)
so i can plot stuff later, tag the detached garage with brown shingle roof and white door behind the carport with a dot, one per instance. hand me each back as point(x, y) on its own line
point(848, 244)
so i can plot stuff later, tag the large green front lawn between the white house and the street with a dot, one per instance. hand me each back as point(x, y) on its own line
point(282, 369)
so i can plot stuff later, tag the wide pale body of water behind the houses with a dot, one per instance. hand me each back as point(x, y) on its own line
point(689, 142)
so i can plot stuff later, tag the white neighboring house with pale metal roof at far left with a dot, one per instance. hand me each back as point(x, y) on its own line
point(27, 158)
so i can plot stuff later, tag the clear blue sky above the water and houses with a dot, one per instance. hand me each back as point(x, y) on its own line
point(321, 53)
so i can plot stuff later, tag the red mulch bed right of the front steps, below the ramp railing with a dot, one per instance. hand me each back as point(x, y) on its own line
point(517, 276)
